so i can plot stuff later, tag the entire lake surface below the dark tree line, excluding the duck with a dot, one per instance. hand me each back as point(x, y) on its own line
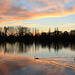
point(54, 58)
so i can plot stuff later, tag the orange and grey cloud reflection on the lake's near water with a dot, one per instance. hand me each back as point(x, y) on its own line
point(20, 65)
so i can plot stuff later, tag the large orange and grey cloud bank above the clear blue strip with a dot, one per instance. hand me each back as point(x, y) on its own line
point(16, 10)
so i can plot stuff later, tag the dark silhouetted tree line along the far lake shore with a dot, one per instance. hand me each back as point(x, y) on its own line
point(27, 34)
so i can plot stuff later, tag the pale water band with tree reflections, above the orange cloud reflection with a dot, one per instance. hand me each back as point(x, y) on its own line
point(39, 49)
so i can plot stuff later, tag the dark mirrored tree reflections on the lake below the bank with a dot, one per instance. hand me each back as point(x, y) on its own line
point(35, 47)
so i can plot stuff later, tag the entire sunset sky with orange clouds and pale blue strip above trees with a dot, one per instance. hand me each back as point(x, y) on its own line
point(40, 14)
